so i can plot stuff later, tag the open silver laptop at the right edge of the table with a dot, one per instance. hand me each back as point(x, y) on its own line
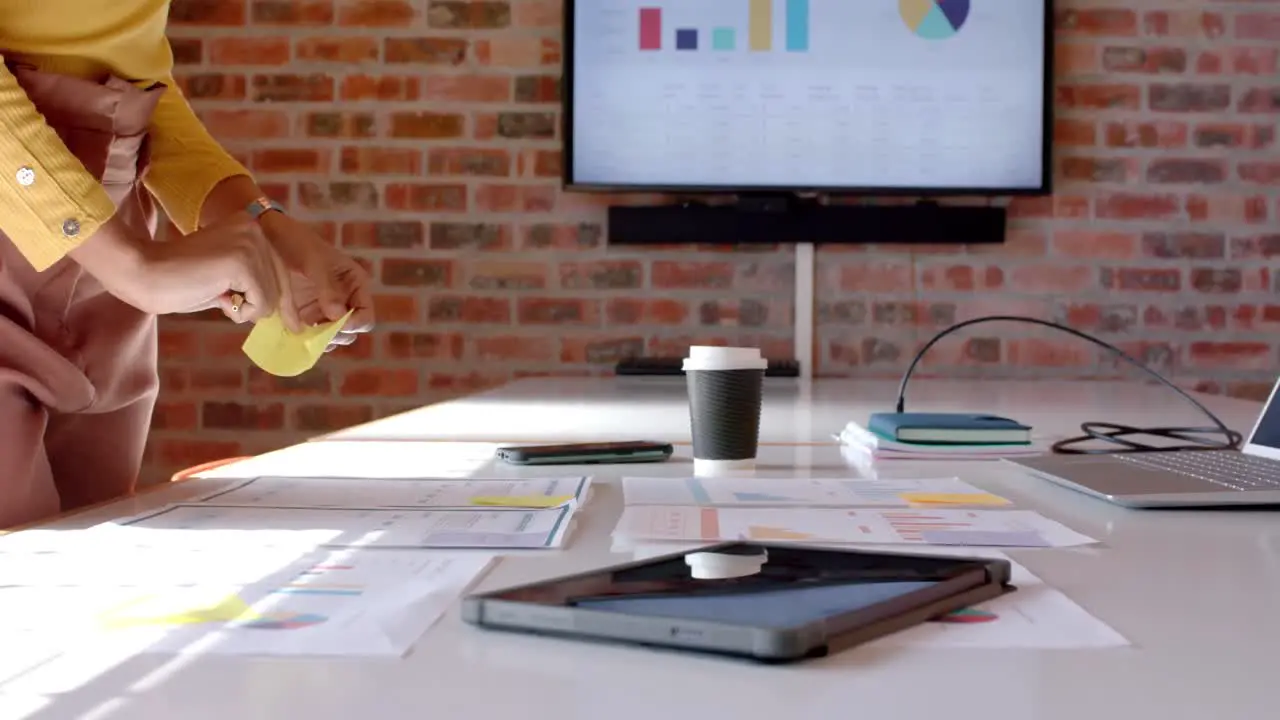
point(1201, 479)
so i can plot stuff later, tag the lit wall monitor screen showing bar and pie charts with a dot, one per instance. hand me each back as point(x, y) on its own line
point(858, 95)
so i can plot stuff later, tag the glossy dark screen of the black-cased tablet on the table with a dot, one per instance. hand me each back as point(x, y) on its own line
point(794, 587)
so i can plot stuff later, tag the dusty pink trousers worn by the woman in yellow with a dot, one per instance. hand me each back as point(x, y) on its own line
point(77, 367)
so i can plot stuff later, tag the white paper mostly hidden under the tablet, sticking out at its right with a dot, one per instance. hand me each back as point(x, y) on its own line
point(1035, 617)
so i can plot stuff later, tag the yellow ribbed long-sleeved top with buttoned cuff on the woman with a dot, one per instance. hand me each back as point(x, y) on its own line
point(93, 39)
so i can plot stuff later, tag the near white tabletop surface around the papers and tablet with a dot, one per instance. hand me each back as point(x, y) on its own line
point(1196, 594)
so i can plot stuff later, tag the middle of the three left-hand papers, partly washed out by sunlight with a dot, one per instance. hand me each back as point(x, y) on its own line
point(221, 526)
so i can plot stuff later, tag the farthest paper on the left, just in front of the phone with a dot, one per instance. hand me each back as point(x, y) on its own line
point(373, 493)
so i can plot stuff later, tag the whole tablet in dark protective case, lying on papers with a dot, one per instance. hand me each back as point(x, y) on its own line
point(760, 601)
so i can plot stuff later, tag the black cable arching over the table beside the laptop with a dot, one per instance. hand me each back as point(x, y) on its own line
point(1109, 434)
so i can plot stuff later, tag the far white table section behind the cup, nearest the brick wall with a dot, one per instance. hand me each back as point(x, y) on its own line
point(657, 409)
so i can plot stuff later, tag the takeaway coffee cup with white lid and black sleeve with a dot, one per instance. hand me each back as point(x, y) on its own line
point(726, 393)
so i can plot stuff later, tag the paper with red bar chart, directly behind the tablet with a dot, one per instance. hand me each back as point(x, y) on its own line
point(998, 528)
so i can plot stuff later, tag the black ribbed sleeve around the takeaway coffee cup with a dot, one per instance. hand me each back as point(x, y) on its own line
point(725, 413)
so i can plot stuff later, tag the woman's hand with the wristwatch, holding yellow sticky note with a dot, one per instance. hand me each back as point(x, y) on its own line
point(323, 282)
